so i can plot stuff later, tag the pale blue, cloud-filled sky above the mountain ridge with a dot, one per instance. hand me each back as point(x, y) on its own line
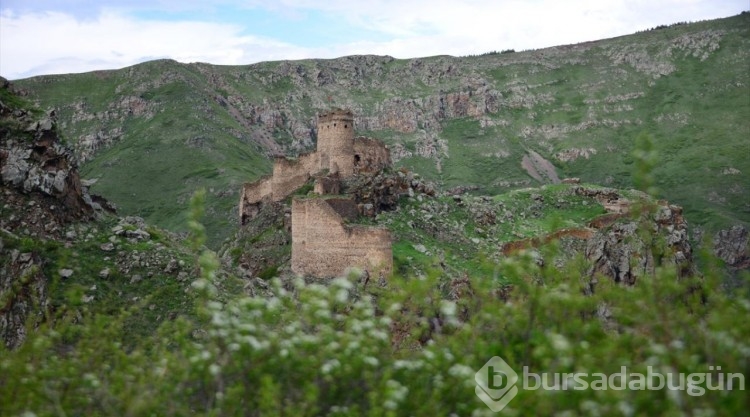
point(66, 36)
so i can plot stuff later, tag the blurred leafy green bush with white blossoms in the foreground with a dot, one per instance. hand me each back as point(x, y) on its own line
point(410, 348)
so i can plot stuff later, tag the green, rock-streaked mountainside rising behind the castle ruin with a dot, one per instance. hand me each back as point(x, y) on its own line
point(153, 133)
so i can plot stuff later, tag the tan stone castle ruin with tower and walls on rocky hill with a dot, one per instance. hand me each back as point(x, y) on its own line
point(324, 243)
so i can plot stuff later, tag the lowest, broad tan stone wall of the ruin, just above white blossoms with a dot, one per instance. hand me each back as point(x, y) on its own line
point(323, 246)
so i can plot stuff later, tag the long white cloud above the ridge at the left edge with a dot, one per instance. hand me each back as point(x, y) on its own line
point(53, 42)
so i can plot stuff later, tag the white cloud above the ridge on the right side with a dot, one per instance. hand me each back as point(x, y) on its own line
point(423, 27)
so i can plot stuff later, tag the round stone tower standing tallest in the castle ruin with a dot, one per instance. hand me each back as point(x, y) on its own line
point(336, 141)
